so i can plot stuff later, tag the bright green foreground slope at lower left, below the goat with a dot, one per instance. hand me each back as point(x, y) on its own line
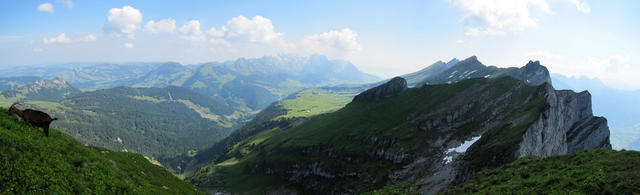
point(33, 164)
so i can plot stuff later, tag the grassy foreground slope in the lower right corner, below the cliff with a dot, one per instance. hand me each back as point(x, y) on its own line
point(601, 171)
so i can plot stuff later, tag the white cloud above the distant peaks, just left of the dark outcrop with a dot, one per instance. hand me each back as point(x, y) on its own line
point(334, 44)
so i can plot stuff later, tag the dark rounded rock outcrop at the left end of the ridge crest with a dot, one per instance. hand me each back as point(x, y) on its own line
point(392, 88)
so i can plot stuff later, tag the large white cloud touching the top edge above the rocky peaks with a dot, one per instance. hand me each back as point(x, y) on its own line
point(495, 17)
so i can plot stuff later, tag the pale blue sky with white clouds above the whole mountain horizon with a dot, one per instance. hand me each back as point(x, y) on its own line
point(595, 39)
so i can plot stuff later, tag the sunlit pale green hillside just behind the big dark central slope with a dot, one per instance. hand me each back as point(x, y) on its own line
point(284, 113)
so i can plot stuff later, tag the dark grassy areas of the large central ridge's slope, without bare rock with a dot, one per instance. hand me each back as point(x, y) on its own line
point(339, 132)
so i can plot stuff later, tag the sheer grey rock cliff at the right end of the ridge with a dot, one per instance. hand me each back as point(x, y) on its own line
point(567, 125)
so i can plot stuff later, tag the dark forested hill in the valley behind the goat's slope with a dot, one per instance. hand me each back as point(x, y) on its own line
point(156, 122)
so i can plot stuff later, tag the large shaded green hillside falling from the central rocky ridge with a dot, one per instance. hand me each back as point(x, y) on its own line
point(336, 145)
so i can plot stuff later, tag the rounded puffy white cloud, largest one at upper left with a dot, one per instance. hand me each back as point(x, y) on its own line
point(123, 20)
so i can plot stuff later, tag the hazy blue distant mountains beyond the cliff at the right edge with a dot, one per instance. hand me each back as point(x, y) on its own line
point(622, 108)
